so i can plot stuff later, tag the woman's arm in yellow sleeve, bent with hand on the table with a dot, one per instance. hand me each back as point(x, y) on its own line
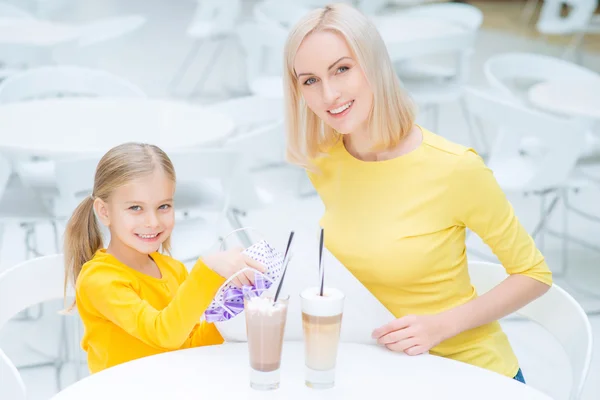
point(479, 204)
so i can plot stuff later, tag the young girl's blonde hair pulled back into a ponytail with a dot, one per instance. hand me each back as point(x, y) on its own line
point(119, 166)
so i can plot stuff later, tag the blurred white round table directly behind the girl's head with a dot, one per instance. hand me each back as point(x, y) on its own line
point(79, 126)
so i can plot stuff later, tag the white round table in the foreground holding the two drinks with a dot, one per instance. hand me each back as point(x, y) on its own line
point(222, 372)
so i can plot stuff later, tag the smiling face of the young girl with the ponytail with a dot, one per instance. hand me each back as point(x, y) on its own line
point(140, 214)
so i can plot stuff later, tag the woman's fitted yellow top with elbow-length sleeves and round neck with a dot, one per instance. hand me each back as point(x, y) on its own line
point(399, 226)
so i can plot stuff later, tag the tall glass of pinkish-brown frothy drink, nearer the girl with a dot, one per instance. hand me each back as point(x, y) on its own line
point(265, 327)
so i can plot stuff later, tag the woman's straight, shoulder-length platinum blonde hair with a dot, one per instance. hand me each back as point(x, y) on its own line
point(392, 115)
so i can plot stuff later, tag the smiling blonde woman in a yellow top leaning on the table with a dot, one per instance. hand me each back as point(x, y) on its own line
point(399, 198)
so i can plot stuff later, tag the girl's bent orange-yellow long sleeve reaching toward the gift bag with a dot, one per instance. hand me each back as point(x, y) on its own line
point(113, 296)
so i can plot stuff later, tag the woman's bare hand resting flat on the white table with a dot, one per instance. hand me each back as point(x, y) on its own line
point(413, 334)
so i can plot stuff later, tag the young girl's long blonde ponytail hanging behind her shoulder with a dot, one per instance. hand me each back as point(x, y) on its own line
point(83, 239)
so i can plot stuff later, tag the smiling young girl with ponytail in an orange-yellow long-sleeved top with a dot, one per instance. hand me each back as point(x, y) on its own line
point(133, 299)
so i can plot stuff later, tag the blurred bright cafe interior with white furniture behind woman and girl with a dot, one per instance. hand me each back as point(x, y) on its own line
point(77, 77)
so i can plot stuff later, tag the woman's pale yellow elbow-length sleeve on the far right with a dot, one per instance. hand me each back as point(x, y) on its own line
point(483, 208)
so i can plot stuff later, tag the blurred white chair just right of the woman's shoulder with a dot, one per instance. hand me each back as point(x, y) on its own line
point(541, 173)
